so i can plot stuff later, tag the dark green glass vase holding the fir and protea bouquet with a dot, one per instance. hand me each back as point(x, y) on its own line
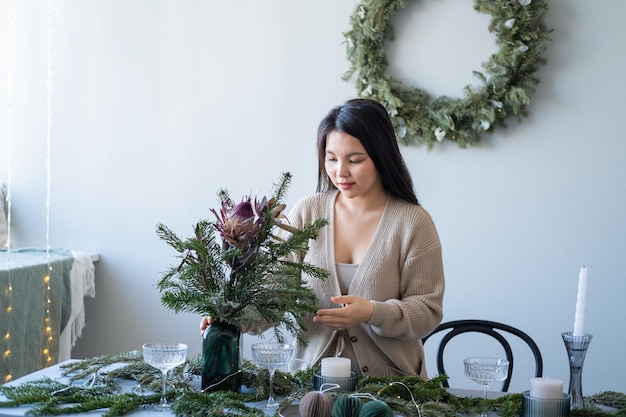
point(221, 358)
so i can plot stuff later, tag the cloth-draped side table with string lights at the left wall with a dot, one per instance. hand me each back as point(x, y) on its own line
point(41, 307)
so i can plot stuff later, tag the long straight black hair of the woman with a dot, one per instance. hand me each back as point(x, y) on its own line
point(369, 122)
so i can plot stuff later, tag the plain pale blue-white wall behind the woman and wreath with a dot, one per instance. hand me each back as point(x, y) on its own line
point(157, 104)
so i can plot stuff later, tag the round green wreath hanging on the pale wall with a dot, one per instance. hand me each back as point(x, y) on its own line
point(507, 79)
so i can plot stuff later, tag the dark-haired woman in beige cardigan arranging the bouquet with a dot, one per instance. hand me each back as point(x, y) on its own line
point(386, 283)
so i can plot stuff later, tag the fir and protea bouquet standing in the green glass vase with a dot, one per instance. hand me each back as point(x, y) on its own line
point(239, 270)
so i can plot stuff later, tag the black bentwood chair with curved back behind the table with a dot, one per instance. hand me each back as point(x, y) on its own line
point(490, 328)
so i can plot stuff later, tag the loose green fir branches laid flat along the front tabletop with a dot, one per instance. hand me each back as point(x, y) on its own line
point(50, 397)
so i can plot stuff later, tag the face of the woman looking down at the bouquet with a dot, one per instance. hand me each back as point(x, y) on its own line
point(349, 166)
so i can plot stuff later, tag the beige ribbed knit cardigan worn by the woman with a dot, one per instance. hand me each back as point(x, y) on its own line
point(402, 273)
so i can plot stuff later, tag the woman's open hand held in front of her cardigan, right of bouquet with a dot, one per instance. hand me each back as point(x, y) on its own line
point(355, 310)
